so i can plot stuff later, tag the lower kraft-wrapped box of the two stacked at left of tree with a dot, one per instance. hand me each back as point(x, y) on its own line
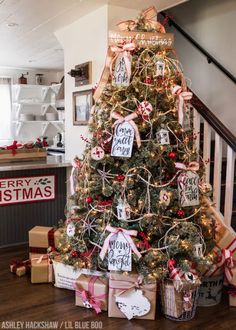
point(41, 269)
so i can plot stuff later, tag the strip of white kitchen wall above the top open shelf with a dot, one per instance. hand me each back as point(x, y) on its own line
point(15, 73)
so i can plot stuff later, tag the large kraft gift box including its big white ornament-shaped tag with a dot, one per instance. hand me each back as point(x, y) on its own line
point(129, 299)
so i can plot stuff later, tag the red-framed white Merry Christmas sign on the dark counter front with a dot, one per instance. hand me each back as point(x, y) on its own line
point(27, 189)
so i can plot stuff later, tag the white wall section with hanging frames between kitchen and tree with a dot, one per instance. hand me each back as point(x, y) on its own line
point(84, 40)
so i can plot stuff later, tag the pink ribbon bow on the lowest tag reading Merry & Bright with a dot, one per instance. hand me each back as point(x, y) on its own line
point(127, 235)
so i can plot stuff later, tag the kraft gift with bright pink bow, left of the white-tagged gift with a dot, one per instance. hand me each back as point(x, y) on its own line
point(89, 288)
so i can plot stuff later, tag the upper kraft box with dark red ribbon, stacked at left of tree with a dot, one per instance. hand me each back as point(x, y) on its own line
point(41, 238)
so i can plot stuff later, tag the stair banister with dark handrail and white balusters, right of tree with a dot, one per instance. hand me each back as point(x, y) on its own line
point(224, 150)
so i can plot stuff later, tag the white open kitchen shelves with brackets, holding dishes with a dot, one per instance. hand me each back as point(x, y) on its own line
point(34, 113)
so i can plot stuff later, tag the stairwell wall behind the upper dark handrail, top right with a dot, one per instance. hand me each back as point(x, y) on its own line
point(212, 24)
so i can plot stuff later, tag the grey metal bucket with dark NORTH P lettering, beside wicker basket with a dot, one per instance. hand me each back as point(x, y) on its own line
point(210, 291)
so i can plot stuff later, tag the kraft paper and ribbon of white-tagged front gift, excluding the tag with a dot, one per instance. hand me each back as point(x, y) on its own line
point(120, 284)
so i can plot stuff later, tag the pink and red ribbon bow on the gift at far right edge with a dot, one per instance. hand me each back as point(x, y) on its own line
point(225, 261)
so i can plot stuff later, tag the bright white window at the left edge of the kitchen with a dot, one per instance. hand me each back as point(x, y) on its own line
point(5, 111)
